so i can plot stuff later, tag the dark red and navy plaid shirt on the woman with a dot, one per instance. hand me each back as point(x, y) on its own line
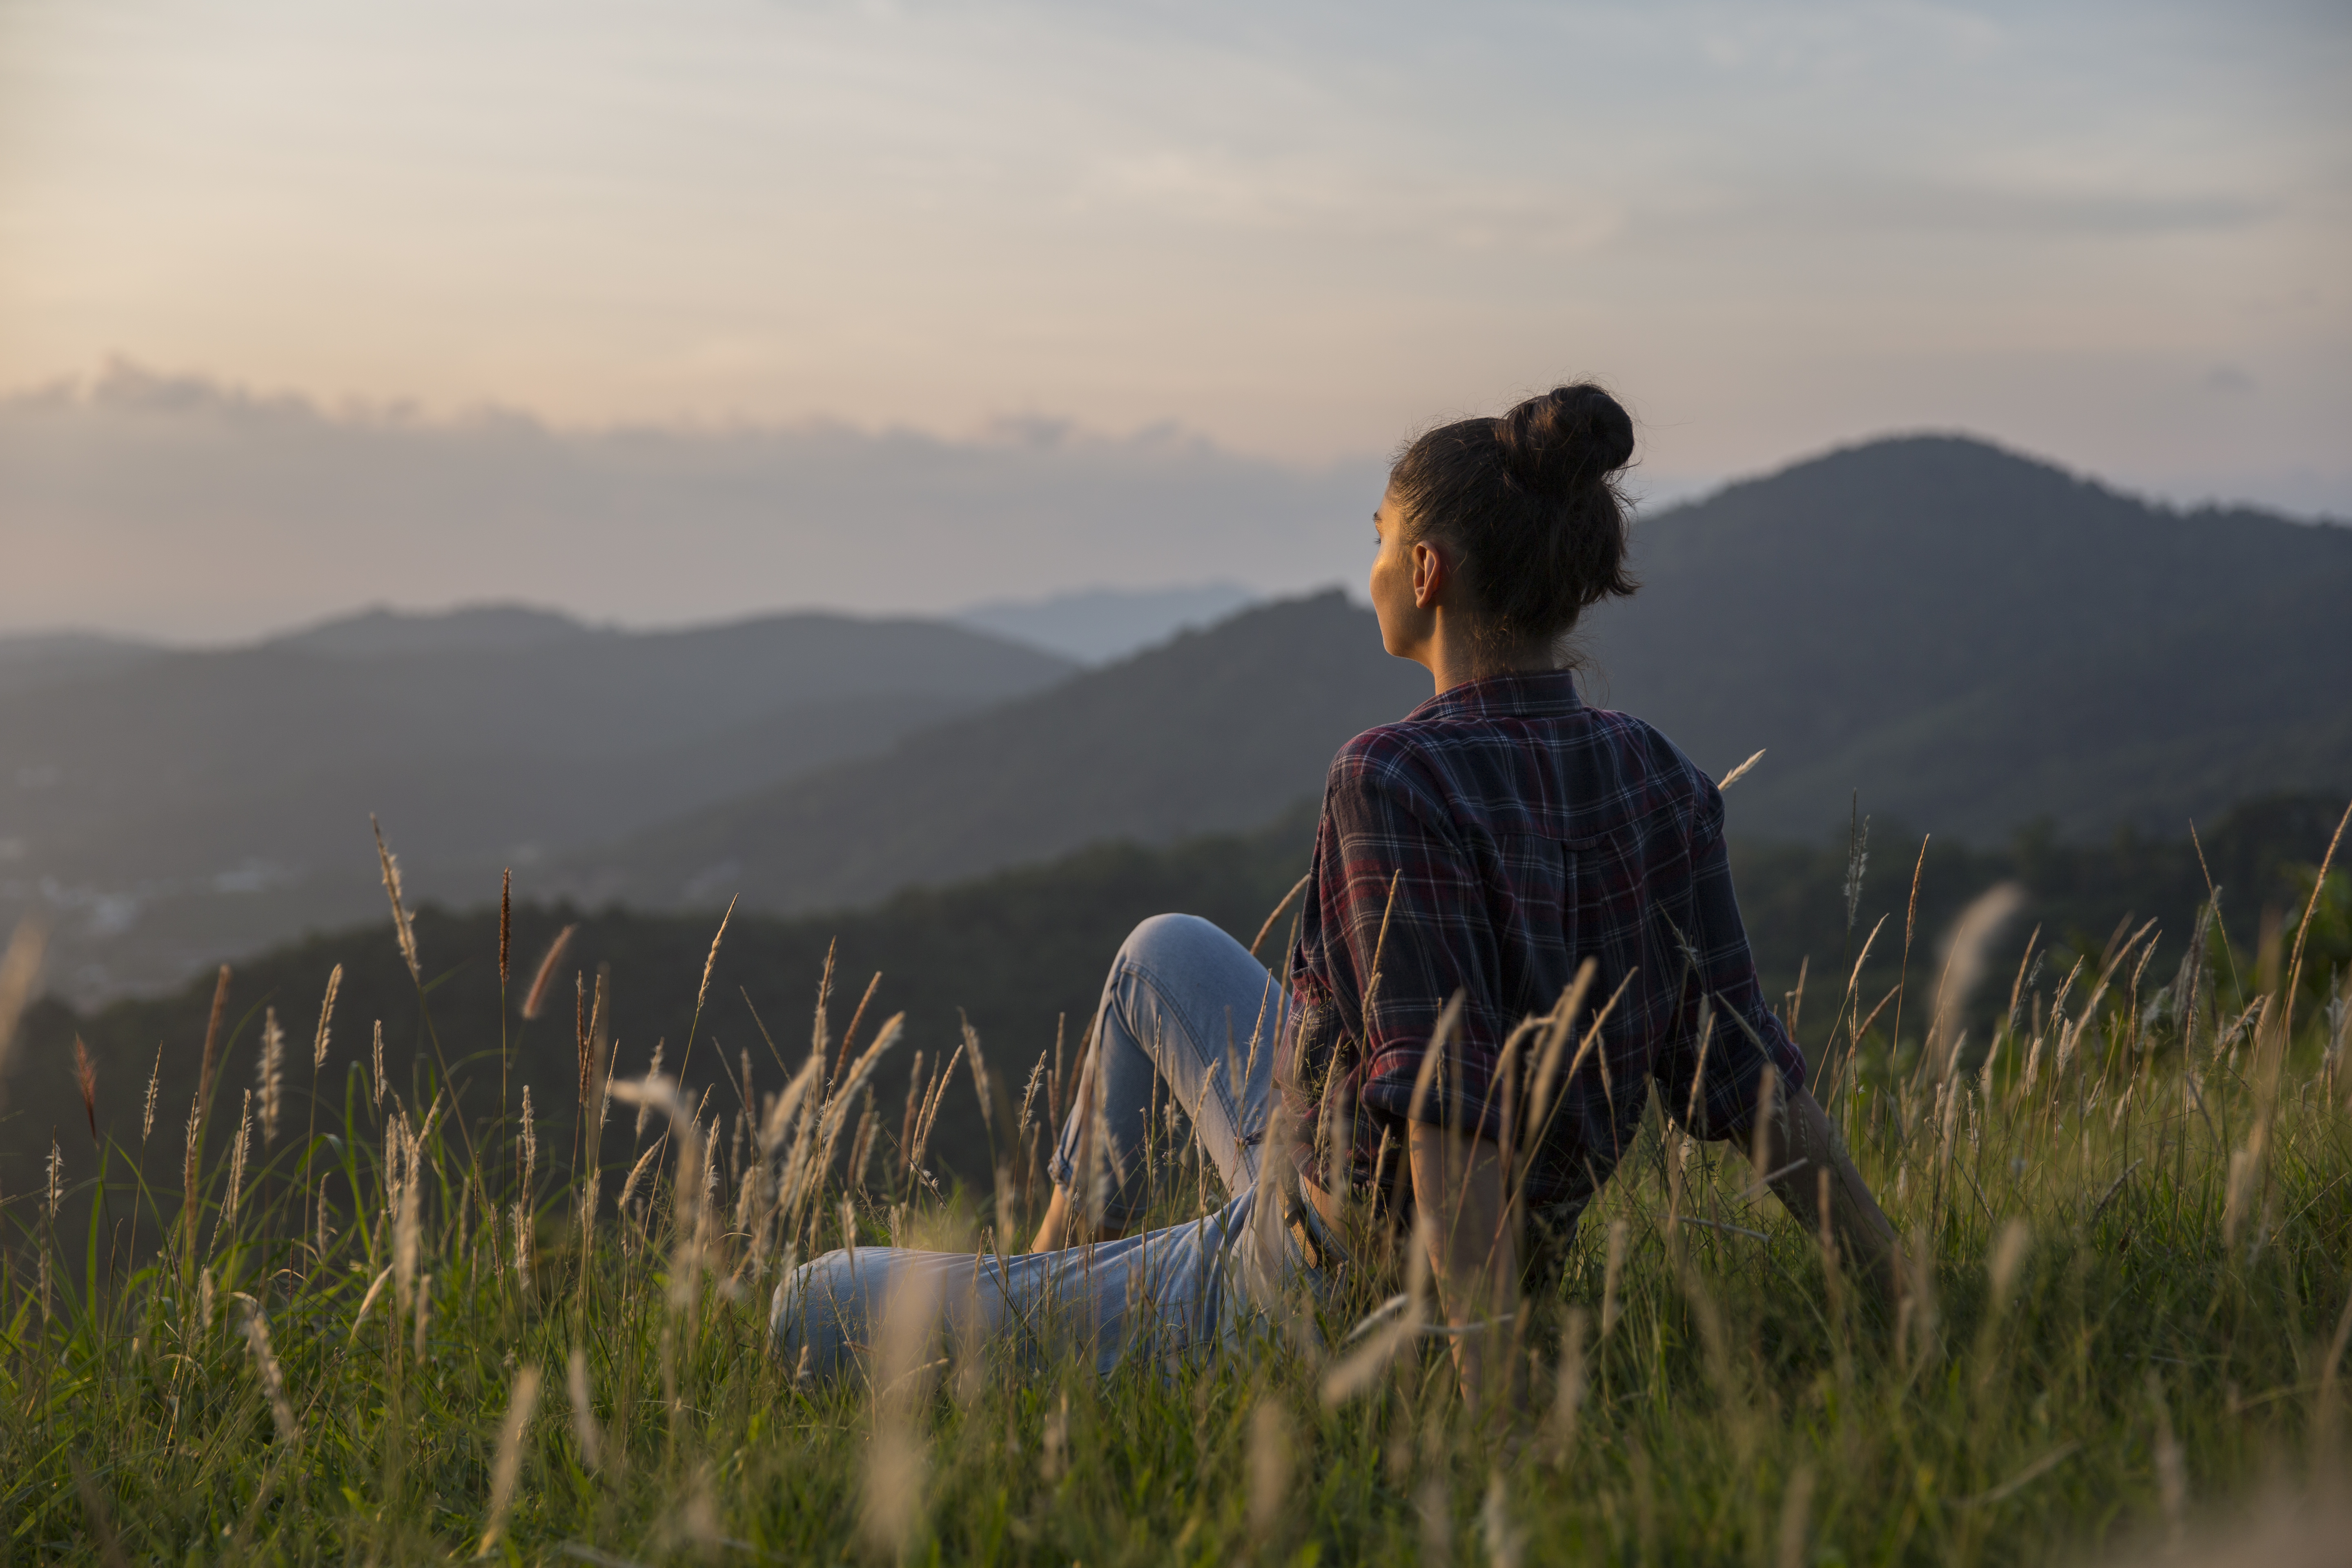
point(1523, 833)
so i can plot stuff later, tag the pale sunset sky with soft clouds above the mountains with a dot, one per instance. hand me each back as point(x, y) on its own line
point(1172, 276)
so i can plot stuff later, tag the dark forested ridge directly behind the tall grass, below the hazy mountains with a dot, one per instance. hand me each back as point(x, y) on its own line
point(1024, 951)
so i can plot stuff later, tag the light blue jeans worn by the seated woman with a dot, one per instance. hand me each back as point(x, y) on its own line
point(1187, 1012)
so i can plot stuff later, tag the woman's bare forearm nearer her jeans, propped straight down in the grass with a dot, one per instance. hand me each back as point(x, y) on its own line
point(1474, 1249)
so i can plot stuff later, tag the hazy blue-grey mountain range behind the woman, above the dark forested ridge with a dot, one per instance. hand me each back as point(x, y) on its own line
point(1960, 636)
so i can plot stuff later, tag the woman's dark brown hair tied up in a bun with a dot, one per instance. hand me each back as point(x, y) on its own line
point(1535, 509)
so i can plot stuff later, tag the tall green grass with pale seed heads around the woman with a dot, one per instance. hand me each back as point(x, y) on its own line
point(2127, 1221)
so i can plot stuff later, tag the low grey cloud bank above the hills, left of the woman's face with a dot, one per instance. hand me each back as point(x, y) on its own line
point(187, 509)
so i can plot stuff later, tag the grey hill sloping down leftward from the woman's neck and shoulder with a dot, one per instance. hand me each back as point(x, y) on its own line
point(1212, 732)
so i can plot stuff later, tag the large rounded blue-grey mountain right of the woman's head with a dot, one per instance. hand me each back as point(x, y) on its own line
point(1977, 641)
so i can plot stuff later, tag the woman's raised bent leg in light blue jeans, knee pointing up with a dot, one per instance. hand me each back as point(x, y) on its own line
point(1191, 1010)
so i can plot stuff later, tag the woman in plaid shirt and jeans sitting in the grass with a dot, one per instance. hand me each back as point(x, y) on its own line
point(1516, 923)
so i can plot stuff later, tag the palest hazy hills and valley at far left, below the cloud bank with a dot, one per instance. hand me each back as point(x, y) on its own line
point(175, 808)
